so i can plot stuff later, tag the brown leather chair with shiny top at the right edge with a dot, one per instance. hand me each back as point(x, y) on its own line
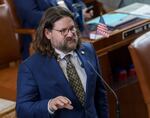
point(140, 54)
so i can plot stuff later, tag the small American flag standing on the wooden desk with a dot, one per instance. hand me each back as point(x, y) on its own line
point(102, 28)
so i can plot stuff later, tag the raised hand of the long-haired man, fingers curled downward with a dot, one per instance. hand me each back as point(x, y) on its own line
point(60, 102)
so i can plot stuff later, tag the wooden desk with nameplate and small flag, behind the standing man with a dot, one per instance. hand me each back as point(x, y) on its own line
point(114, 42)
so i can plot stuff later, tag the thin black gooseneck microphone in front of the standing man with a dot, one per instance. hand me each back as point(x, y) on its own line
point(109, 88)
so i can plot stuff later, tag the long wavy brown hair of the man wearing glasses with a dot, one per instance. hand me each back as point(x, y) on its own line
point(51, 15)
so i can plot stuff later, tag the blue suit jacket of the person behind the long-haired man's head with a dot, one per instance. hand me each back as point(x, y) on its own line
point(31, 11)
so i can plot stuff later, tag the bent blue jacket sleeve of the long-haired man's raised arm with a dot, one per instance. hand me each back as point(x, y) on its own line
point(28, 103)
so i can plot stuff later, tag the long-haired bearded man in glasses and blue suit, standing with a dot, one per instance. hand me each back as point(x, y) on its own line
point(58, 81)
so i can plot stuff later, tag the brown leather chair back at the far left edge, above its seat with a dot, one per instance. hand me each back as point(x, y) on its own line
point(9, 45)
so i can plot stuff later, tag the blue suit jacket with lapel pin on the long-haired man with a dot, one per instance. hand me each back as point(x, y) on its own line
point(40, 79)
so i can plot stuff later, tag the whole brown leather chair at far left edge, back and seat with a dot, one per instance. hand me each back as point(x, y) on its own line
point(9, 55)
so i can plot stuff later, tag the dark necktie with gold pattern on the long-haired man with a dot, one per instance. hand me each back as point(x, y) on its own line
point(74, 80)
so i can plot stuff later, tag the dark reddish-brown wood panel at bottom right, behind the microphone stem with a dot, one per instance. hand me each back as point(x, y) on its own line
point(131, 102)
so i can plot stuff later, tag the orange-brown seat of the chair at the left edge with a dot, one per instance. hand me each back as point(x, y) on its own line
point(8, 81)
